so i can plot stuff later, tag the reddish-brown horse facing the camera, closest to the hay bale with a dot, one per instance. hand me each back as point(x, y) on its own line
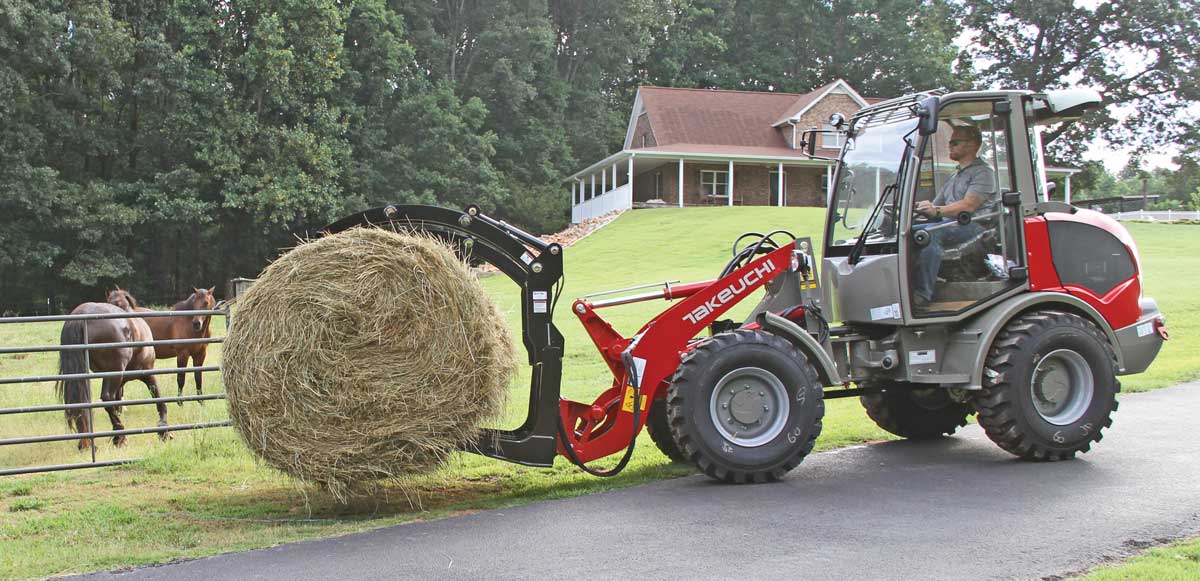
point(167, 328)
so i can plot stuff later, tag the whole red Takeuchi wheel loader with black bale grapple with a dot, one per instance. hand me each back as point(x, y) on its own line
point(1015, 308)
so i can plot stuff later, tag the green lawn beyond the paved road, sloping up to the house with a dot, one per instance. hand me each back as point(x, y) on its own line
point(202, 493)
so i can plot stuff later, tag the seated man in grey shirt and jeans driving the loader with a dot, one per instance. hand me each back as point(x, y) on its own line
point(968, 190)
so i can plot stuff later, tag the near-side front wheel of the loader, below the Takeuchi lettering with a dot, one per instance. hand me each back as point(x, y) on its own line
point(746, 408)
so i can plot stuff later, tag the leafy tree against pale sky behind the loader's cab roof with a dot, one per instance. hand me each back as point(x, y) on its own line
point(1139, 53)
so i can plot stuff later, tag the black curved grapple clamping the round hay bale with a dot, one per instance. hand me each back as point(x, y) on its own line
point(537, 268)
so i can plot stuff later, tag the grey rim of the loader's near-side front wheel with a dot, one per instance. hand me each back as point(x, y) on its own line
point(749, 408)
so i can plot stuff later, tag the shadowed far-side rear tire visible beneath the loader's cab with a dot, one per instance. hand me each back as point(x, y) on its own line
point(915, 412)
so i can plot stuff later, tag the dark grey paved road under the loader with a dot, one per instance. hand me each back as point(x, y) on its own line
point(953, 510)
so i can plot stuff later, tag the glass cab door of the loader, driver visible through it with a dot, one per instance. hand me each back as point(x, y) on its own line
point(964, 247)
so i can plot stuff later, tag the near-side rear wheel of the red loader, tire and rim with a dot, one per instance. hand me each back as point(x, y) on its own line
point(1049, 387)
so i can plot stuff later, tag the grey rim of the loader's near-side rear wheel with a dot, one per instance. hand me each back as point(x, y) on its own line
point(1063, 387)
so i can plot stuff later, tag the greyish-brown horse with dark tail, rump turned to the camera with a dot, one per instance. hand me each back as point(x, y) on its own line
point(117, 360)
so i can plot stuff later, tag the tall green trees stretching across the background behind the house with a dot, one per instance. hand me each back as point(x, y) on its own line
point(161, 145)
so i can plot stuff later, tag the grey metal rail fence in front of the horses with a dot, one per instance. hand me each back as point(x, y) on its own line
point(87, 348)
